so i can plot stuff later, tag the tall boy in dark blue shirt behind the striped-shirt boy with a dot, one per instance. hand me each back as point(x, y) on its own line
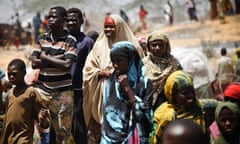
point(84, 45)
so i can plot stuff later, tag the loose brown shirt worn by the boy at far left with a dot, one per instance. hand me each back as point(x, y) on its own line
point(19, 119)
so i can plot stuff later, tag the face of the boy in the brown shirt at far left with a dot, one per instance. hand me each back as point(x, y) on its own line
point(15, 75)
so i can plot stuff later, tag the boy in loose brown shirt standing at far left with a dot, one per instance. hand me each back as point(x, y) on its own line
point(24, 107)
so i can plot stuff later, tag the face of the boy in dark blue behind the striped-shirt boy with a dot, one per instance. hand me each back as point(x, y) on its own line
point(73, 23)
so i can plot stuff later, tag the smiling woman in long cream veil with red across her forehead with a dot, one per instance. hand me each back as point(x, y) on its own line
point(98, 68)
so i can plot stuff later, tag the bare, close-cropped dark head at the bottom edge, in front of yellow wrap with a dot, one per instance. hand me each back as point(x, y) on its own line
point(183, 131)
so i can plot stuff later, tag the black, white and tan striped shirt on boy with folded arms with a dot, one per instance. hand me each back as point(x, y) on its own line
point(53, 78)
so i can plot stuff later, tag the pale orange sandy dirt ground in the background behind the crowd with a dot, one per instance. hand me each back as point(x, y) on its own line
point(188, 34)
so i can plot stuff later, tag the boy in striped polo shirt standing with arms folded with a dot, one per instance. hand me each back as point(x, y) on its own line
point(54, 55)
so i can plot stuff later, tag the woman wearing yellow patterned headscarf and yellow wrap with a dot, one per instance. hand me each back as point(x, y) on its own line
point(181, 104)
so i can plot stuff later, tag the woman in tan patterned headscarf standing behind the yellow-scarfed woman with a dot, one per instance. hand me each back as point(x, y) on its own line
point(159, 64)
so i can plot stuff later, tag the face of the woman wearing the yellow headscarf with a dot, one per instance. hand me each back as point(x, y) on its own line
point(186, 97)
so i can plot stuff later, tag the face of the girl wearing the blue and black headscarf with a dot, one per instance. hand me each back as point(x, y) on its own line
point(120, 65)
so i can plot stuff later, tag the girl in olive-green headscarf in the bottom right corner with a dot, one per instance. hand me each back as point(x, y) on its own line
point(226, 128)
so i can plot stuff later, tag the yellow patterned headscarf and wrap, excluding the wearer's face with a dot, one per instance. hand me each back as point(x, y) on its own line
point(170, 110)
